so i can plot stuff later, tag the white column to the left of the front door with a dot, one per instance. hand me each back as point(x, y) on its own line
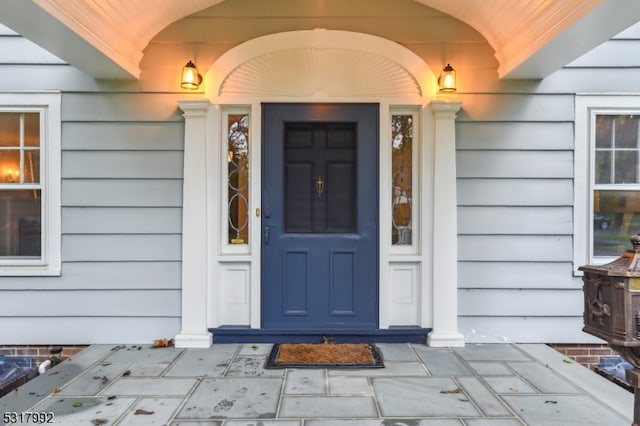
point(194, 333)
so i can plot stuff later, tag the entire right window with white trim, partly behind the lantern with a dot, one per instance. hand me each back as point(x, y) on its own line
point(607, 177)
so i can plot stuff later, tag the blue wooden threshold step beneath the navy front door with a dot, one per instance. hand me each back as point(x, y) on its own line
point(235, 334)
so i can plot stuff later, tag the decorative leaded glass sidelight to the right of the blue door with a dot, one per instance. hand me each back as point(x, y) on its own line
point(402, 126)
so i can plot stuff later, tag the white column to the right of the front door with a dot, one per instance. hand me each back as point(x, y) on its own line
point(445, 228)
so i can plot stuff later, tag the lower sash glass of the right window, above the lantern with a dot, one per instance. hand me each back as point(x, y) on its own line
point(615, 217)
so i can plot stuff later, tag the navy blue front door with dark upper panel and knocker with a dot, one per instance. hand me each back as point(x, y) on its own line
point(320, 217)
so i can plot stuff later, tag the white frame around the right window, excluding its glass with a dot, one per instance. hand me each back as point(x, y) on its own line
point(586, 109)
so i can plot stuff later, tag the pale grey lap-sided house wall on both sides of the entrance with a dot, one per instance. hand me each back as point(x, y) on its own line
point(122, 153)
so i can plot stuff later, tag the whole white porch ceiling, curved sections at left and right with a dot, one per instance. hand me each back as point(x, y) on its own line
point(531, 38)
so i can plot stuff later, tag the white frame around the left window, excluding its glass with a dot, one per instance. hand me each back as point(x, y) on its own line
point(48, 104)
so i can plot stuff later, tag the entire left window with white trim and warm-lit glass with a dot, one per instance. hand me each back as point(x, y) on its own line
point(30, 184)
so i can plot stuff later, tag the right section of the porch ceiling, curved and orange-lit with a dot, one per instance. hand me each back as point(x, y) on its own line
point(533, 38)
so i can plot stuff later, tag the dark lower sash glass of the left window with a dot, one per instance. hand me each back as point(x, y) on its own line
point(20, 223)
